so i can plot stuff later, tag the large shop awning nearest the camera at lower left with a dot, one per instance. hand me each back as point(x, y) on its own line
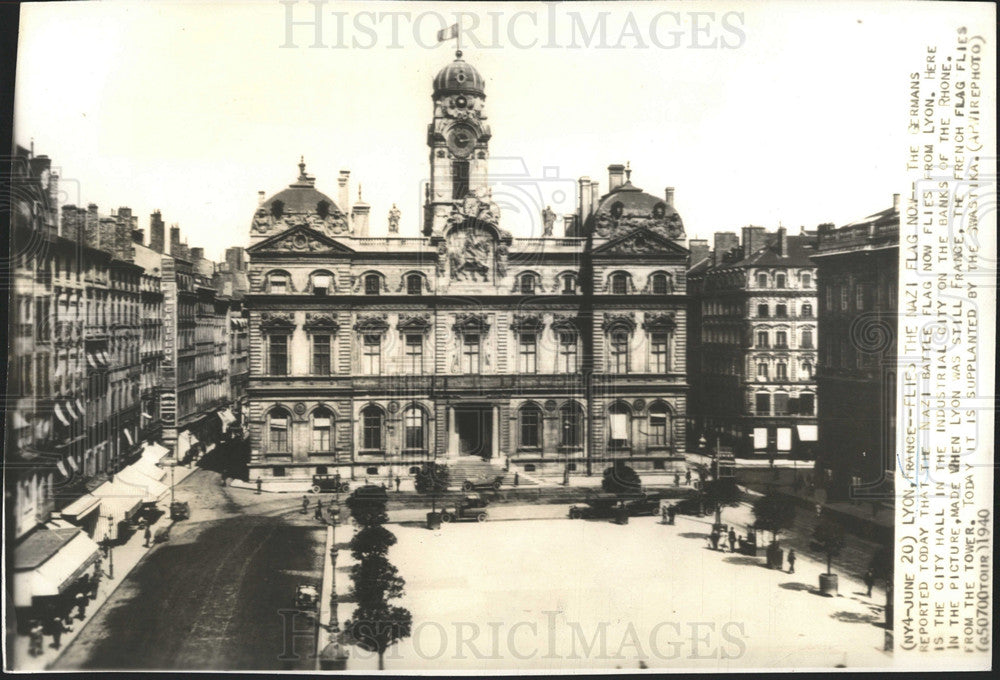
point(49, 561)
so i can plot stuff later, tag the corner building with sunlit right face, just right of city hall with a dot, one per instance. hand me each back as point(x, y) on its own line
point(753, 341)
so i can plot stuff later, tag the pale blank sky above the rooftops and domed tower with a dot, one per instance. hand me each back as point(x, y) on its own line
point(779, 113)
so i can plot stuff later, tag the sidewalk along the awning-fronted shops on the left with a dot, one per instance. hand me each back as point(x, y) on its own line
point(125, 558)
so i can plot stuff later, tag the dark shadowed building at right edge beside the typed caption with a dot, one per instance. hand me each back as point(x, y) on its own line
point(858, 268)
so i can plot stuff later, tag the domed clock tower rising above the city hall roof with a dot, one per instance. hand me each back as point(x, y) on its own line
point(458, 139)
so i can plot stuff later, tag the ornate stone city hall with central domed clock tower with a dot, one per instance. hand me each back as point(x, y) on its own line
point(556, 352)
